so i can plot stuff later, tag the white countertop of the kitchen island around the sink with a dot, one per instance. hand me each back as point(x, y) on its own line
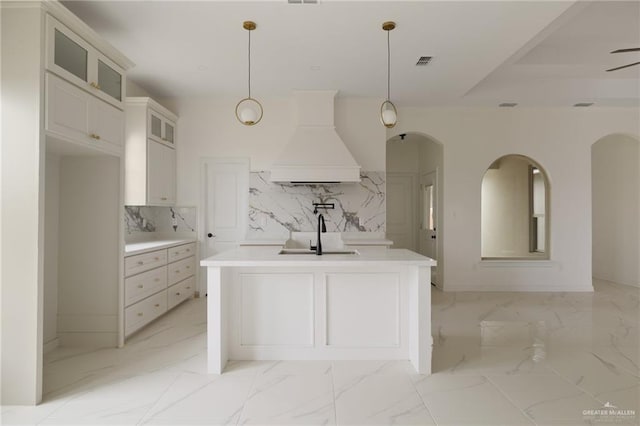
point(268, 256)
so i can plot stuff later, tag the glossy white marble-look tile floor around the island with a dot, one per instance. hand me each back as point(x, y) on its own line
point(499, 358)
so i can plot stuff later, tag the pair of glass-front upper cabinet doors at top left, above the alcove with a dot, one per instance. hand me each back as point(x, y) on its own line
point(75, 60)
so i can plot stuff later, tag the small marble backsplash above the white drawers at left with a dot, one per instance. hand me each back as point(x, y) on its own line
point(139, 219)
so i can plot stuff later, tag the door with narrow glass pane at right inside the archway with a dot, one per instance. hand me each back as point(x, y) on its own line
point(428, 242)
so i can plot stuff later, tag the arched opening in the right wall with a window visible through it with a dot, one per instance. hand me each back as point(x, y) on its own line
point(515, 210)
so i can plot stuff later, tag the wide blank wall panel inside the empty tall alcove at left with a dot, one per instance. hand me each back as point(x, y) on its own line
point(90, 220)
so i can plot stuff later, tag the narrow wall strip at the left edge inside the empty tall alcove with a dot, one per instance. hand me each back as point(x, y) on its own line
point(51, 220)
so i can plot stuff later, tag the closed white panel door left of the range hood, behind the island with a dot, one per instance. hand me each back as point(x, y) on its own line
point(225, 205)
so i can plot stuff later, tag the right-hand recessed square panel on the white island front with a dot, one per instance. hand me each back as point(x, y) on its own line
point(376, 321)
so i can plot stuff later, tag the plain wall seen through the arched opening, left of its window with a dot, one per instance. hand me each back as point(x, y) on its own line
point(505, 209)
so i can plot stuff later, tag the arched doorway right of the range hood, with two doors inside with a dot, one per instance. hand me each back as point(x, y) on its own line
point(414, 165)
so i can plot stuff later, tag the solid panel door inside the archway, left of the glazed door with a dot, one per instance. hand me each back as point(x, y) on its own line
point(400, 210)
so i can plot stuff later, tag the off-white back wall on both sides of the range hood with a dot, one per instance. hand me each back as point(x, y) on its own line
point(208, 128)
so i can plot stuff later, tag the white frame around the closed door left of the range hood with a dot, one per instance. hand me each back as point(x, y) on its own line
point(206, 162)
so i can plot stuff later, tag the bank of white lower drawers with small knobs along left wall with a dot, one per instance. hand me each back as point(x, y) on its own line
point(154, 284)
